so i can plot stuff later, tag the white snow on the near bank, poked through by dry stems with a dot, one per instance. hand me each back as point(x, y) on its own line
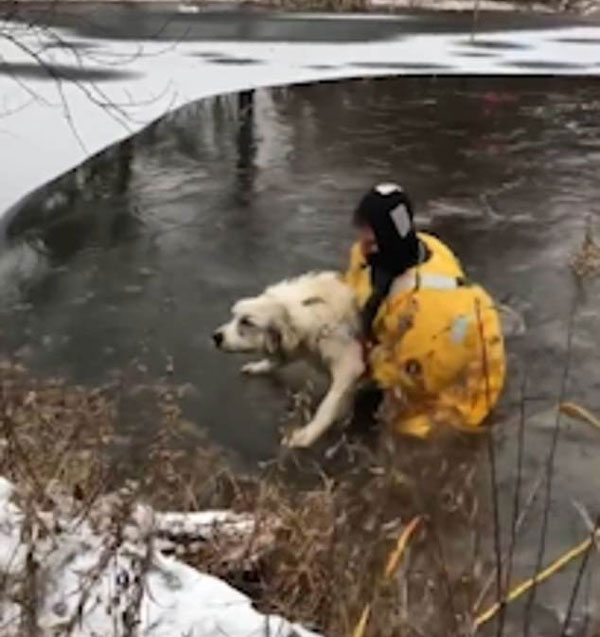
point(92, 581)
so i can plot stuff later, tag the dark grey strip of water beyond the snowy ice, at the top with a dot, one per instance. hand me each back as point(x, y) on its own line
point(232, 22)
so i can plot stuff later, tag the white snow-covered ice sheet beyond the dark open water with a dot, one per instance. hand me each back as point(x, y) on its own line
point(51, 125)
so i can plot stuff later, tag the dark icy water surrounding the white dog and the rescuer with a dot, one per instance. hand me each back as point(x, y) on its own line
point(138, 254)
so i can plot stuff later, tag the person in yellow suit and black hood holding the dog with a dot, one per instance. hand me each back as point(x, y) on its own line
point(434, 339)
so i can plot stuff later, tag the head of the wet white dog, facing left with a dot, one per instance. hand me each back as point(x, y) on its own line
point(258, 325)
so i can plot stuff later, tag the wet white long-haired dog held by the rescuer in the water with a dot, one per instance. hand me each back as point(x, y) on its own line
point(314, 316)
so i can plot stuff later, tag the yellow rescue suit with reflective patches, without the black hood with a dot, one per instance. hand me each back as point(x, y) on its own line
point(440, 352)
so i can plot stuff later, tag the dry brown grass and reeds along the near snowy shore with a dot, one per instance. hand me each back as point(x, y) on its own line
point(372, 542)
